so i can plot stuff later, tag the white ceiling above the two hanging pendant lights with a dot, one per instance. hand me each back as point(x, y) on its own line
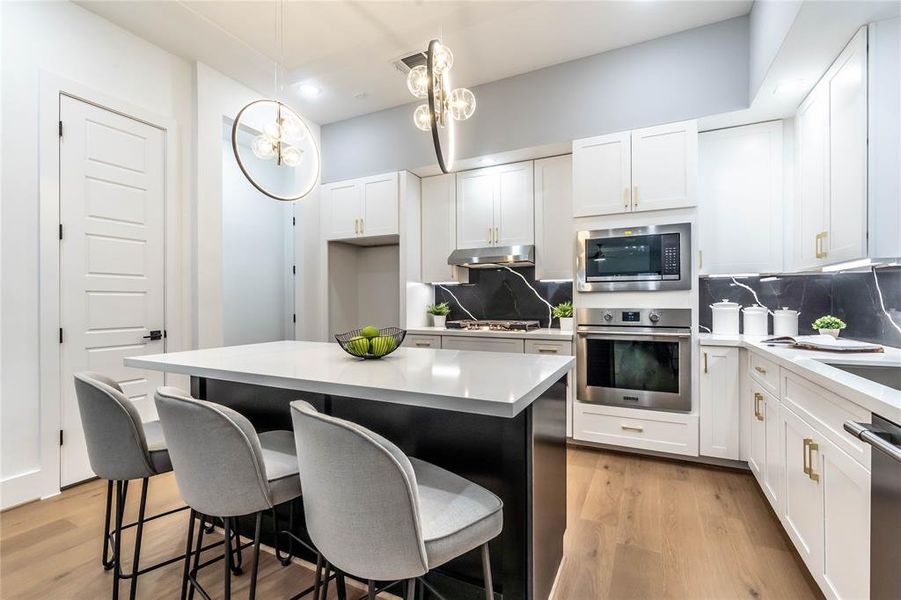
point(346, 48)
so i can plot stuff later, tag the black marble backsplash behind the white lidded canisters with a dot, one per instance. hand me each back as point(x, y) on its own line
point(852, 297)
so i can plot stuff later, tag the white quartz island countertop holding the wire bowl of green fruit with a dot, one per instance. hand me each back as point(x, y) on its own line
point(488, 383)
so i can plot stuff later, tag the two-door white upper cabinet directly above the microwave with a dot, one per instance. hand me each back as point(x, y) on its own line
point(646, 169)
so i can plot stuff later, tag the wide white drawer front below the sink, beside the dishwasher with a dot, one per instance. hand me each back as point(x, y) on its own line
point(827, 412)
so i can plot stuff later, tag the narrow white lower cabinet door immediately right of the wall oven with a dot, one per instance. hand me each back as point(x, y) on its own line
point(719, 398)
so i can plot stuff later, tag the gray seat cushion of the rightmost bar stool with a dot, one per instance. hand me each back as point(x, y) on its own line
point(456, 515)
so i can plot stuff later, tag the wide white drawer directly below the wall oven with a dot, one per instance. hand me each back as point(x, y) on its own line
point(673, 433)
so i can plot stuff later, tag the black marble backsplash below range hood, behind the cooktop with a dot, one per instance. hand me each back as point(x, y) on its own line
point(500, 294)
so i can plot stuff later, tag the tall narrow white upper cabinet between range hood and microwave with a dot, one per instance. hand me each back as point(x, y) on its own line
point(554, 238)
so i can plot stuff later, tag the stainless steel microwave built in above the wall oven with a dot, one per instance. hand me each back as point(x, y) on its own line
point(652, 258)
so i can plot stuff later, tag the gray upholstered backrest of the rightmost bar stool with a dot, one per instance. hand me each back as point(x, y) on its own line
point(360, 497)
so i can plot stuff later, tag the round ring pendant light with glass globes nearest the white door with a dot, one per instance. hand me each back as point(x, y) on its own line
point(278, 134)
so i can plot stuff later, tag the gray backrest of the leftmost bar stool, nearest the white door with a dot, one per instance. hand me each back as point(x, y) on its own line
point(114, 435)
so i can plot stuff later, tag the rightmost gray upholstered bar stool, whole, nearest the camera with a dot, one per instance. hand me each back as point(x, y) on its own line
point(376, 514)
